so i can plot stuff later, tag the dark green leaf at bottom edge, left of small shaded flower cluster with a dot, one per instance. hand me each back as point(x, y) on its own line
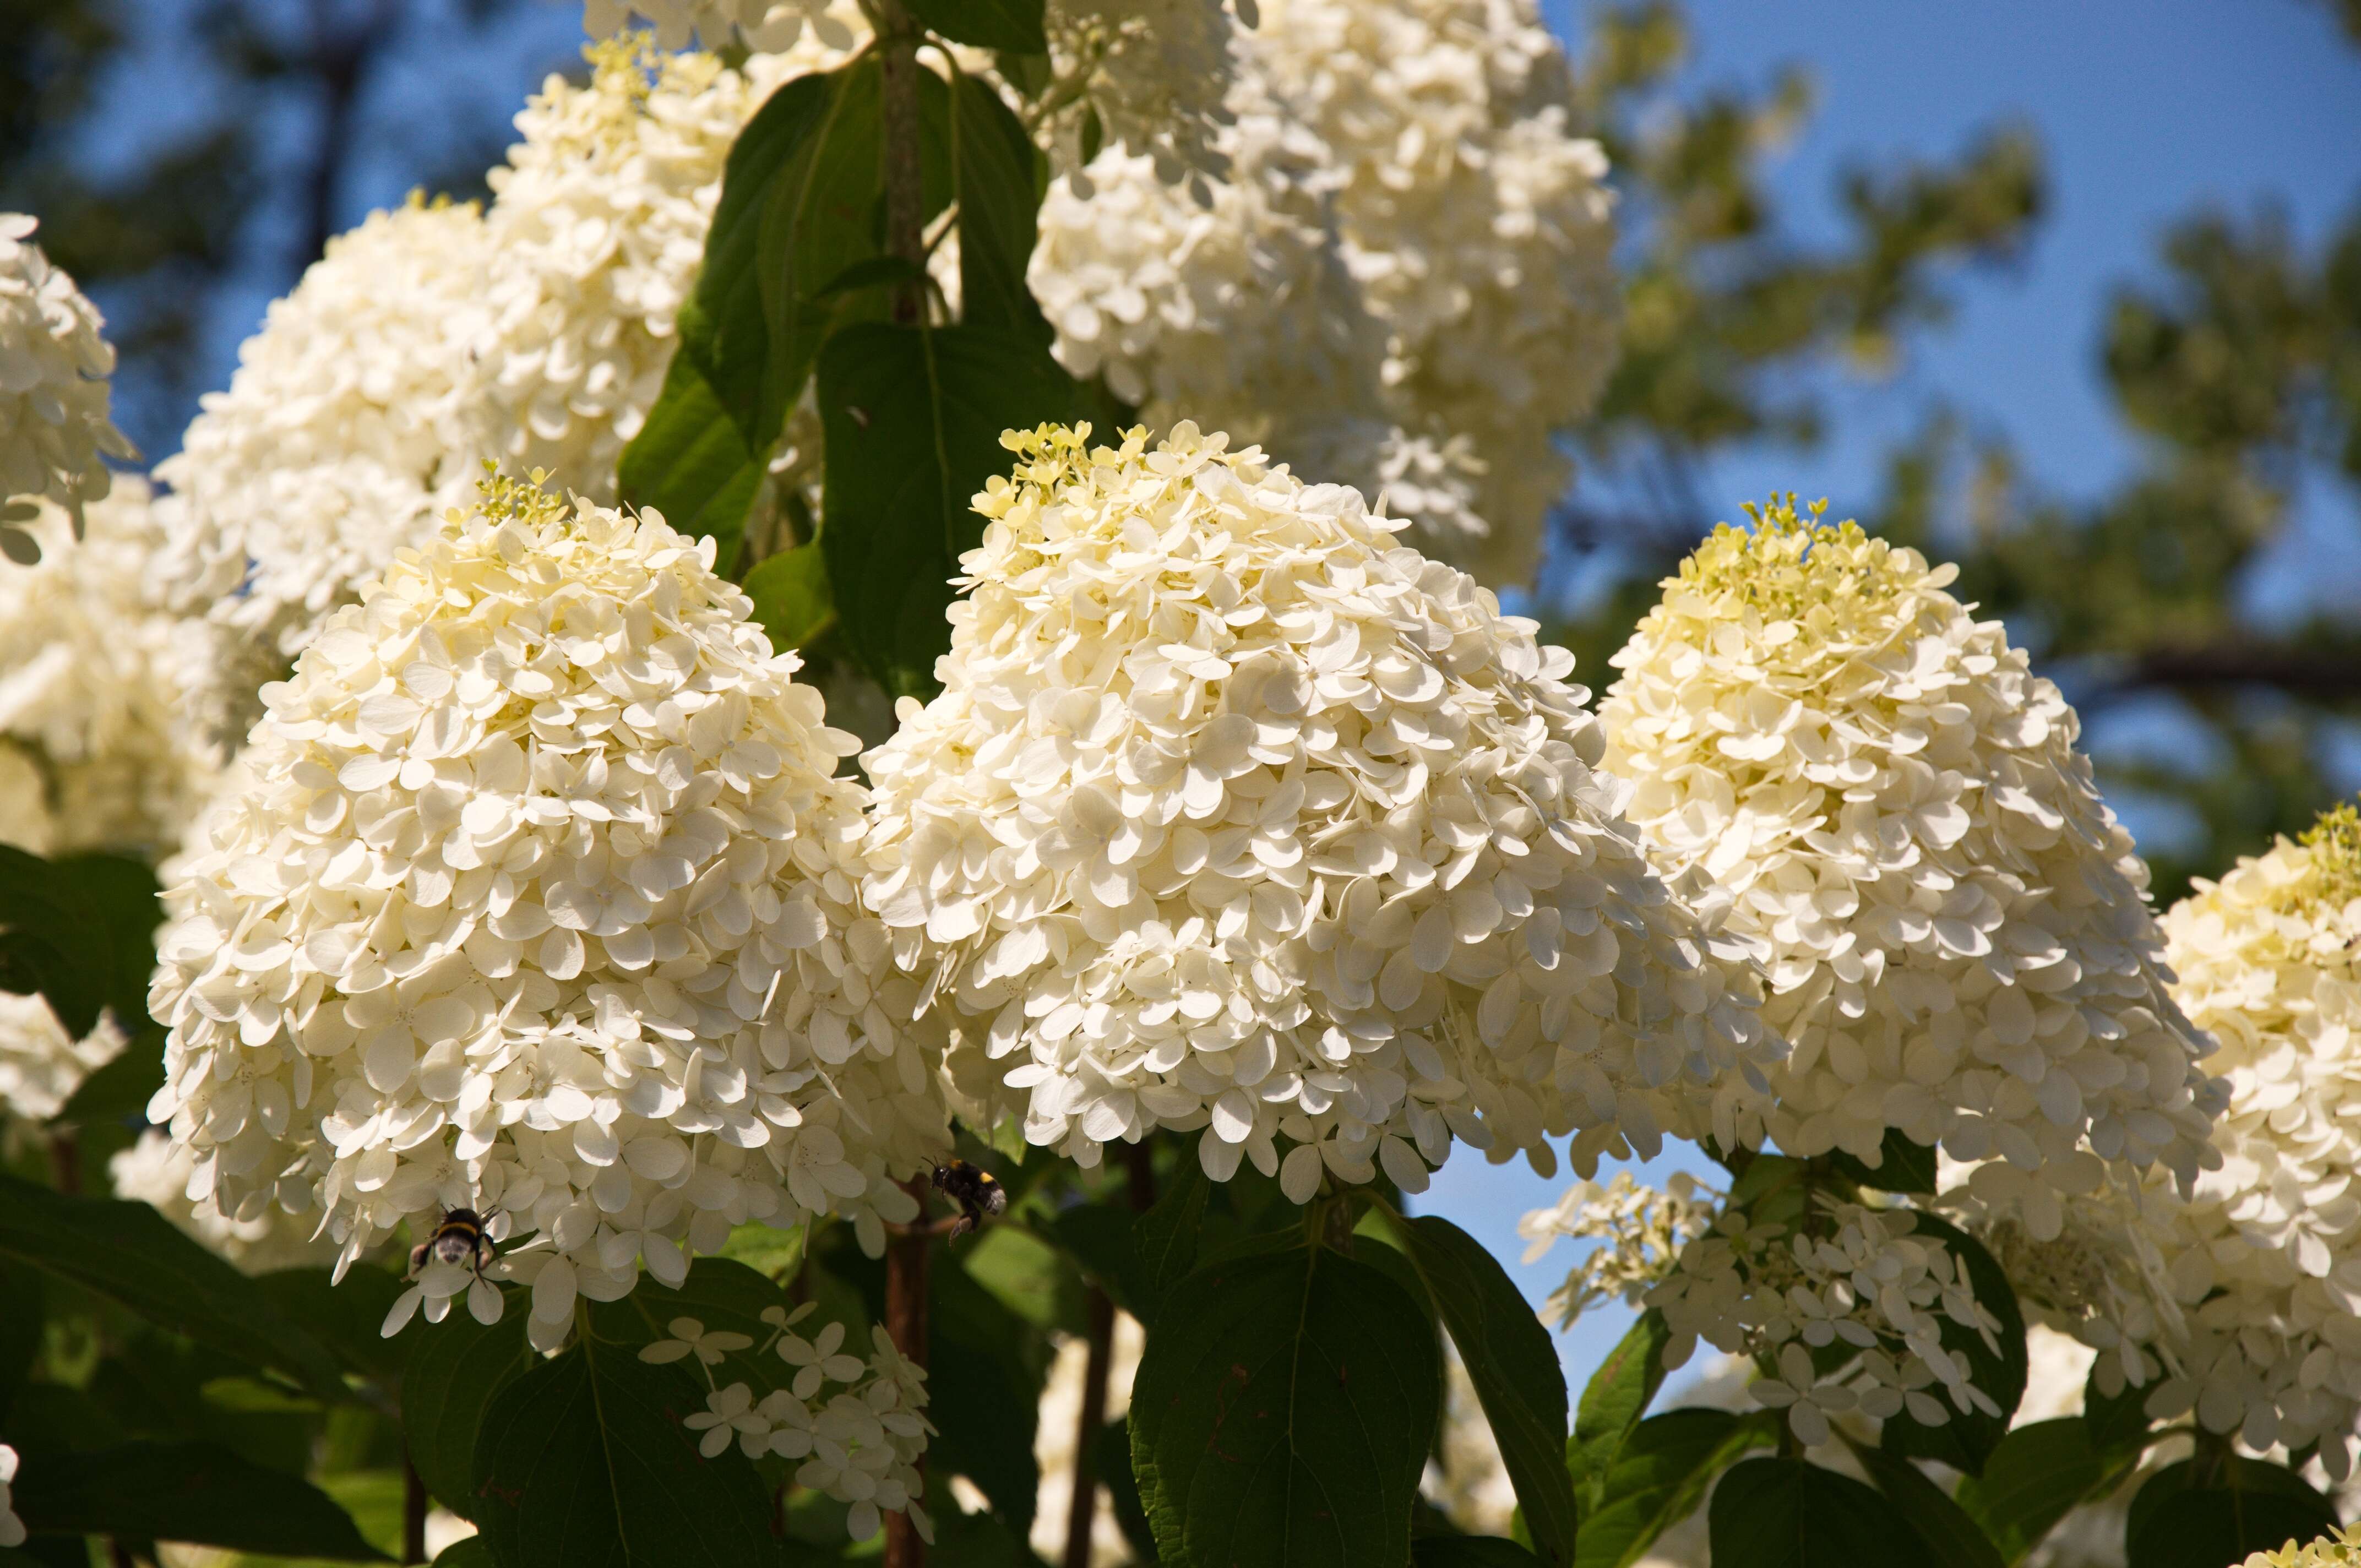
point(584, 1463)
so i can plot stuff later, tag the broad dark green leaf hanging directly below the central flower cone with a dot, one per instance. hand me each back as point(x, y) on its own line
point(1283, 1413)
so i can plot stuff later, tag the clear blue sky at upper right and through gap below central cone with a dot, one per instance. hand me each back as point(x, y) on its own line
point(2147, 110)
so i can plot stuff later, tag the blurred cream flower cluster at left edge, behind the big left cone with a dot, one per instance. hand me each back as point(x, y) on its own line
point(96, 750)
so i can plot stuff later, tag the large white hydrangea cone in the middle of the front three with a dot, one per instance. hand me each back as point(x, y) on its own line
point(1236, 816)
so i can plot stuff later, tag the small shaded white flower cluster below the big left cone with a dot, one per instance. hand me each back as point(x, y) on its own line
point(858, 1444)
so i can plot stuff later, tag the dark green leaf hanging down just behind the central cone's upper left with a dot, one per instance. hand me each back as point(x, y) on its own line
point(915, 424)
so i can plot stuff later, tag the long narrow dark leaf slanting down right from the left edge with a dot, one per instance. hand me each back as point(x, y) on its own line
point(136, 1257)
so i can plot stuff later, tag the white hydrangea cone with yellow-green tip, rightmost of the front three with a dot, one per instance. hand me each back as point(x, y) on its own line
point(1956, 925)
